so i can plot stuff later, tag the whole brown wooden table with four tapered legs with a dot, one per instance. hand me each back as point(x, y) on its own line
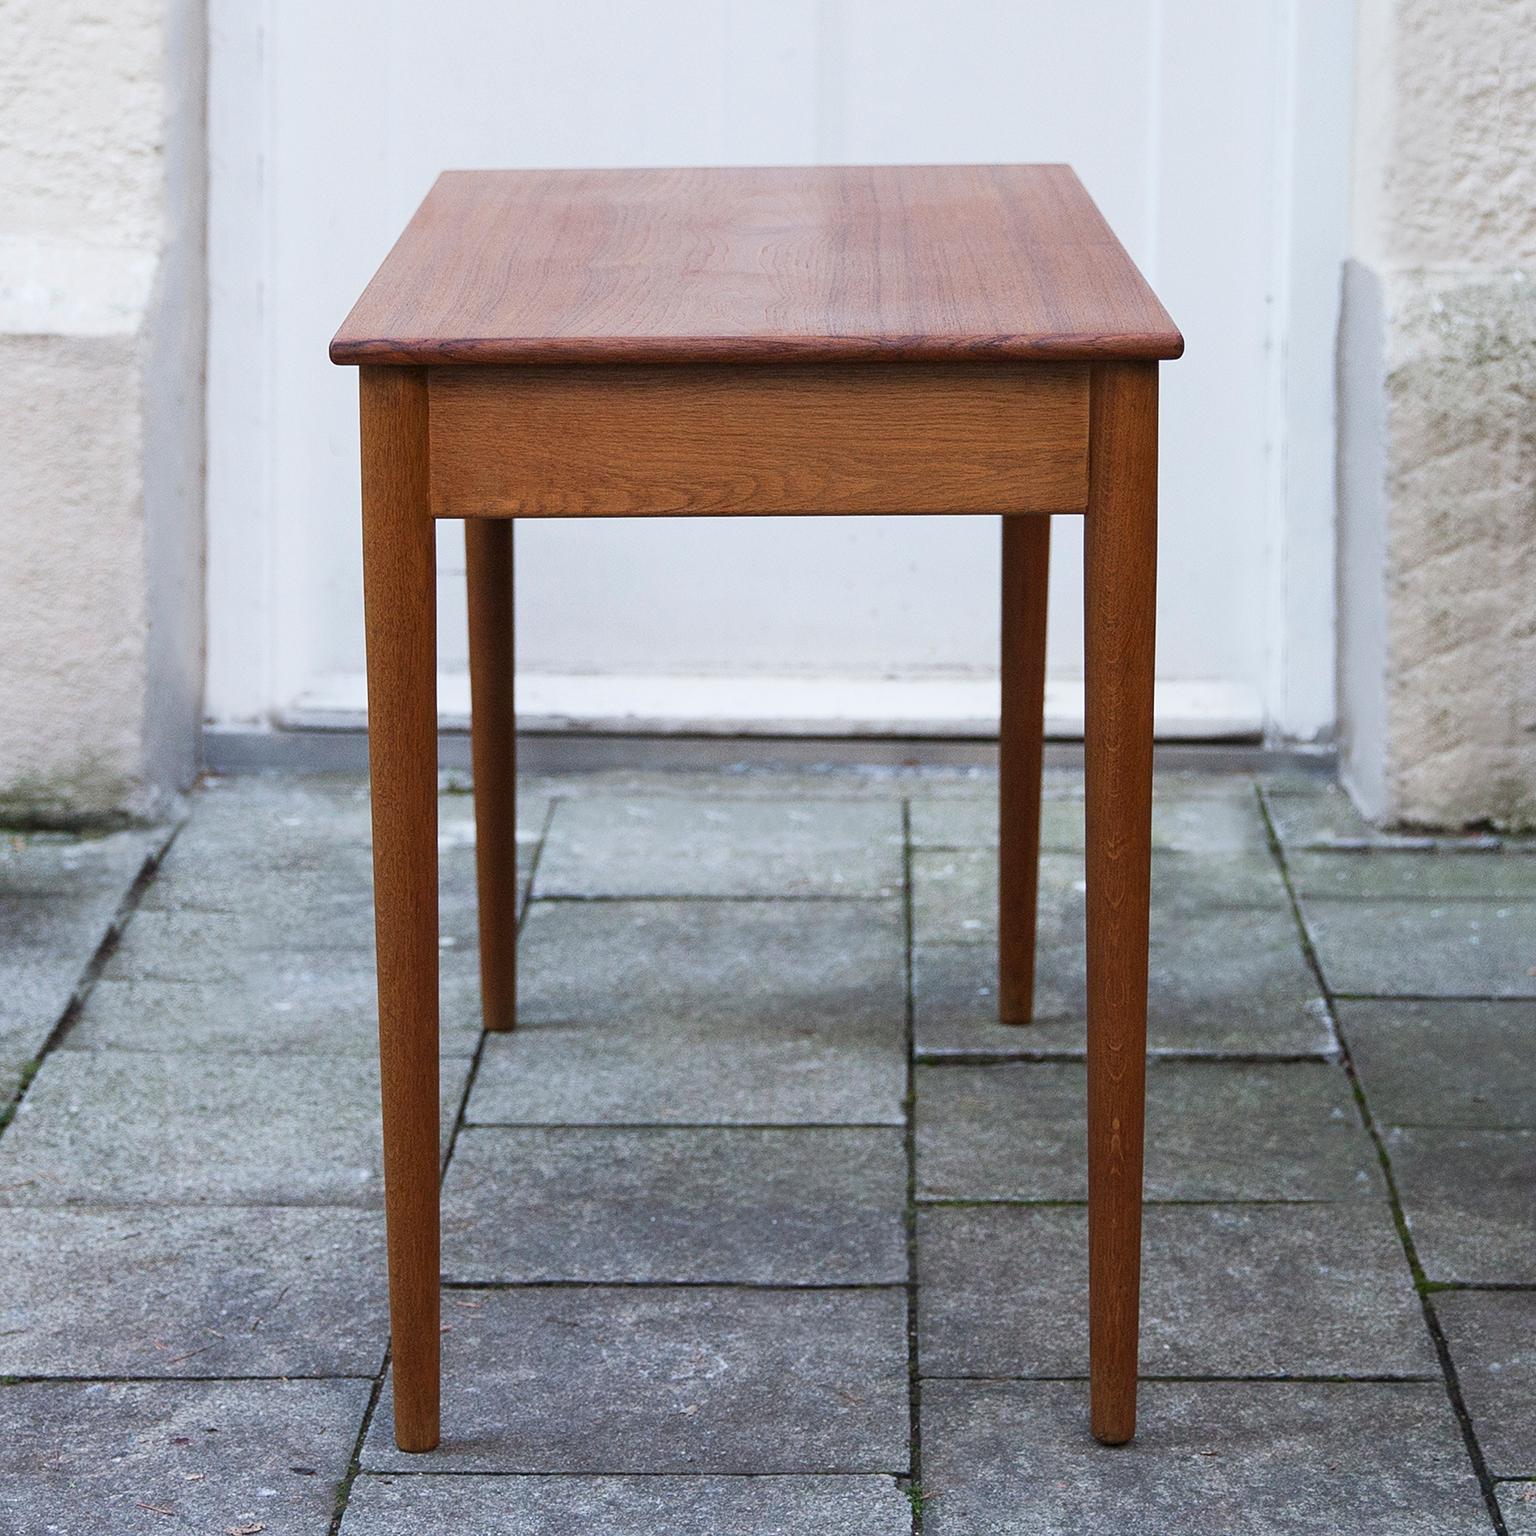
point(749, 343)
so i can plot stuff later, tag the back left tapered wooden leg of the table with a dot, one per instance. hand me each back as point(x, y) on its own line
point(494, 747)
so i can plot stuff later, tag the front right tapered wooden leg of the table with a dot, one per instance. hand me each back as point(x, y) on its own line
point(1121, 591)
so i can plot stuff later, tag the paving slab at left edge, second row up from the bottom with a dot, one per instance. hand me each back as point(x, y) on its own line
point(256, 1291)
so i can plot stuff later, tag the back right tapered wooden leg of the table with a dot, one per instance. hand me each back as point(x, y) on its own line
point(1027, 569)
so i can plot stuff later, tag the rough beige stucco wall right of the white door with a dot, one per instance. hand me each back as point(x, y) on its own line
point(1438, 466)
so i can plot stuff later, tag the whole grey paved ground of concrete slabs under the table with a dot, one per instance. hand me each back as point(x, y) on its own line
point(760, 1223)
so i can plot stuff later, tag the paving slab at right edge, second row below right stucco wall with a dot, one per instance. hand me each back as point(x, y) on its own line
point(1471, 948)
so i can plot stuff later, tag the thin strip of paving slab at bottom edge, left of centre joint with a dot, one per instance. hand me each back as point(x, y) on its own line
point(680, 1506)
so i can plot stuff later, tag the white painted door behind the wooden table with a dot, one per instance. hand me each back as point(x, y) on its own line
point(1190, 125)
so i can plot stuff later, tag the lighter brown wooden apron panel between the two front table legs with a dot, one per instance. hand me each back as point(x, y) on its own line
point(710, 440)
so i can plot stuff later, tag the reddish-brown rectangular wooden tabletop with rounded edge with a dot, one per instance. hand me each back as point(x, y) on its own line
point(832, 263)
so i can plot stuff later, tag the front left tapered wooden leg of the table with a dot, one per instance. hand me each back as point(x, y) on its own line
point(400, 607)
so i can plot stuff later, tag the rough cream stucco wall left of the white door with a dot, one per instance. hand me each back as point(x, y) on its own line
point(102, 313)
